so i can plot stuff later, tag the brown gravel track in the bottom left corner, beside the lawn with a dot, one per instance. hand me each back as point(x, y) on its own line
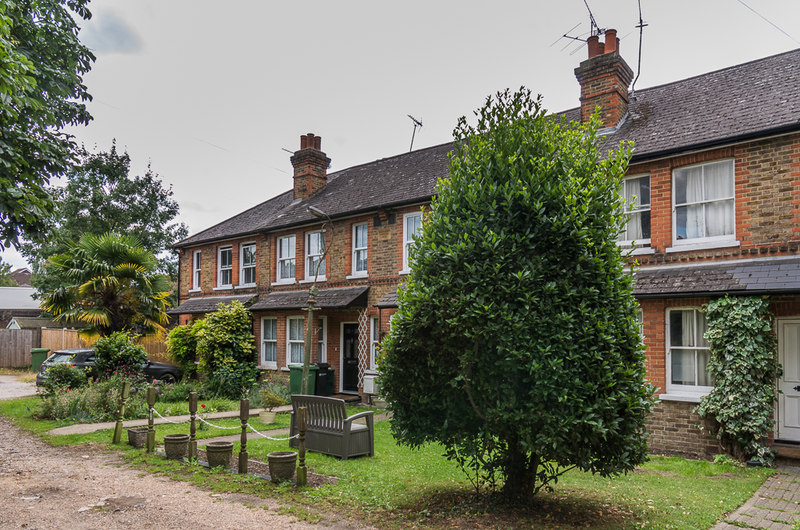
point(85, 487)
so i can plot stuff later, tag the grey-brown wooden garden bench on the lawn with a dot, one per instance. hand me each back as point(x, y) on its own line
point(328, 429)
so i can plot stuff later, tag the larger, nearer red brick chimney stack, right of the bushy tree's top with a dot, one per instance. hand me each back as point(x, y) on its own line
point(604, 78)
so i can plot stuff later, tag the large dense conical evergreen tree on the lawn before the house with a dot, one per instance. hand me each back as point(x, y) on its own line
point(515, 344)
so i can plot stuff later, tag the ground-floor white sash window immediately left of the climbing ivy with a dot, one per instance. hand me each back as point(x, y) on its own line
point(687, 352)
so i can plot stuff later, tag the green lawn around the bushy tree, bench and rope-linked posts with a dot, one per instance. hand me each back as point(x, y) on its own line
point(400, 486)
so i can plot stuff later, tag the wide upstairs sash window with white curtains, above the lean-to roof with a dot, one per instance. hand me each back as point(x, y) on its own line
point(703, 200)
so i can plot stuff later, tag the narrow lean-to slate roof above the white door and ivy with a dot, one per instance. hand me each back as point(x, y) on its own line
point(761, 276)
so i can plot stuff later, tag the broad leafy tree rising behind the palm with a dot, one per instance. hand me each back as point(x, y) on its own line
point(100, 197)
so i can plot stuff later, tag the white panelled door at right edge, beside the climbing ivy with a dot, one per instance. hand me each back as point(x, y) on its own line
point(789, 384)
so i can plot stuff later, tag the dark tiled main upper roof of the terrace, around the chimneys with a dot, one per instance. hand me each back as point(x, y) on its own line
point(753, 99)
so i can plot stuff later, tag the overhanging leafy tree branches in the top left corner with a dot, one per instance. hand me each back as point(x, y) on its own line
point(41, 91)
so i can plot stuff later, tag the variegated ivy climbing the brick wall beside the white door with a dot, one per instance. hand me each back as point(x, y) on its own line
point(743, 364)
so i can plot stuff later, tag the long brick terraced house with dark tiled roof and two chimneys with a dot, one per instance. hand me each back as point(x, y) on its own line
point(715, 180)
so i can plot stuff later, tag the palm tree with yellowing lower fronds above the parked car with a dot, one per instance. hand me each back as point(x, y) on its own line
point(110, 283)
